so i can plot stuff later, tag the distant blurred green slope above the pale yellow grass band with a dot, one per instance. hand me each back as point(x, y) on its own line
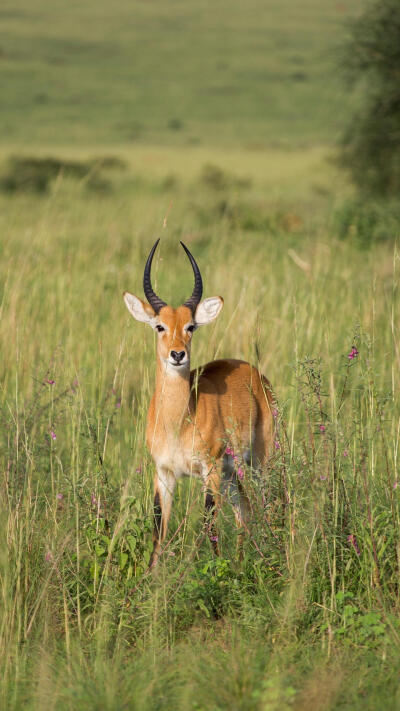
point(94, 73)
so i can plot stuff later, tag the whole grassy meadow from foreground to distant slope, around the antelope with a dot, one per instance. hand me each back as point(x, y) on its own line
point(217, 125)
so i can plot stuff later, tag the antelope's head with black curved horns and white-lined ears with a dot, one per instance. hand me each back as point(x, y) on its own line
point(174, 327)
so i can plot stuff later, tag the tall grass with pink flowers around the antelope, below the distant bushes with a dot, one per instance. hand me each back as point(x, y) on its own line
point(310, 618)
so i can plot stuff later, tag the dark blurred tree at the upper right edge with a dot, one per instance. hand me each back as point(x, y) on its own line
point(371, 144)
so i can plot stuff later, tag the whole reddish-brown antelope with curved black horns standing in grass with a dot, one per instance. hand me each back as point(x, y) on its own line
point(197, 419)
